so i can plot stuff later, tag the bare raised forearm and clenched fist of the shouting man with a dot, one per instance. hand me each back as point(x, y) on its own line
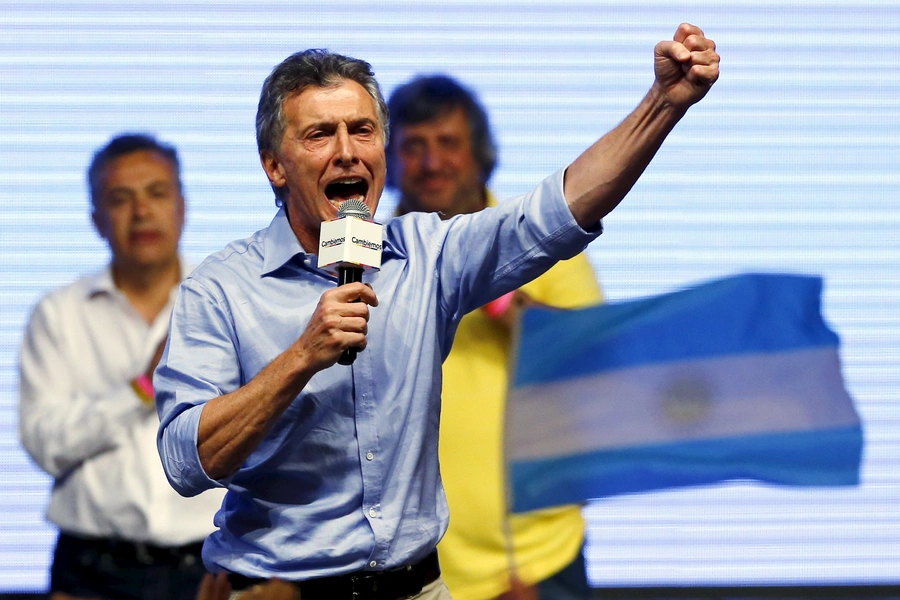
point(599, 179)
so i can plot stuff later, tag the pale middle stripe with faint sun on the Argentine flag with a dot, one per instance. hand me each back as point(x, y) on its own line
point(687, 400)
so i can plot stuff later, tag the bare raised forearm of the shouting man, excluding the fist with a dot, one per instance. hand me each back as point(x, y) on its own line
point(602, 176)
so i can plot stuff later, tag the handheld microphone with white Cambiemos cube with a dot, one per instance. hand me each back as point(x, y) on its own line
point(350, 244)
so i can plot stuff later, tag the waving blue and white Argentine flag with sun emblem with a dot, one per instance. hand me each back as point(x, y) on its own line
point(738, 378)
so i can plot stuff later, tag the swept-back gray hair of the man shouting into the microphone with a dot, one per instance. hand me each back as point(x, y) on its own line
point(314, 67)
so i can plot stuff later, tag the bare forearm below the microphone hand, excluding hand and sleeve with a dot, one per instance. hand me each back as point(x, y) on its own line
point(232, 426)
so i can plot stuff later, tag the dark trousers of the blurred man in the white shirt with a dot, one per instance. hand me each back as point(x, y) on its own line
point(119, 570)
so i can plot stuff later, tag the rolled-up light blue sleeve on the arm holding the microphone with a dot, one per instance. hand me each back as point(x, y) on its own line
point(200, 363)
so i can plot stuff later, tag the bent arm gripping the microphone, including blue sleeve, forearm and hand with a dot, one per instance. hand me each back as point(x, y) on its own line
point(211, 419)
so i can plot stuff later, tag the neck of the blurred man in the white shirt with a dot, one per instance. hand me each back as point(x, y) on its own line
point(147, 288)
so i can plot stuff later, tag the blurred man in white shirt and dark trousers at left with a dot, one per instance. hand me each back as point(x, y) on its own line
point(87, 415)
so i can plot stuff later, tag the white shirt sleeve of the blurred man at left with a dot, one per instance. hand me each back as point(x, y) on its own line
point(60, 426)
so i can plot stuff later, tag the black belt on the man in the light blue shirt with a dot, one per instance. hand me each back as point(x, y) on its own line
point(393, 584)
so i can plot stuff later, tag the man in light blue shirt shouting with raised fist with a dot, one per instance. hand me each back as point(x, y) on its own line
point(332, 471)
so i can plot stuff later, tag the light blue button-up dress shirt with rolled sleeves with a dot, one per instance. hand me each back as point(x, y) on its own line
point(348, 477)
